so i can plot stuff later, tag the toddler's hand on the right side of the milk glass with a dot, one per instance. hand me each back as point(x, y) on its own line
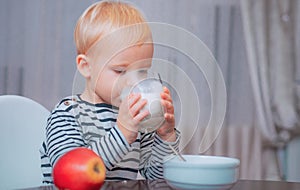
point(167, 131)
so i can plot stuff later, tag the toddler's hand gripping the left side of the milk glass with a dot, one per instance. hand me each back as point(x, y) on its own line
point(130, 115)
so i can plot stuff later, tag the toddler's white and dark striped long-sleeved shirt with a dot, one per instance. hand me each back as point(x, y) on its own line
point(77, 123)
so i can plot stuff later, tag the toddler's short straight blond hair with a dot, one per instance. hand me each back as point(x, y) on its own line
point(103, 18)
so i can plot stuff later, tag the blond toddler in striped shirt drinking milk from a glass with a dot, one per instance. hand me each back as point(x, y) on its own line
point(111, 38)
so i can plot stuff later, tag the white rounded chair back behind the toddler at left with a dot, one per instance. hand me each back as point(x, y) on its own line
point(22, 125)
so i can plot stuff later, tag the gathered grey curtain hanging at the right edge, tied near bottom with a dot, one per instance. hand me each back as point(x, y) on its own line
point(270, 28)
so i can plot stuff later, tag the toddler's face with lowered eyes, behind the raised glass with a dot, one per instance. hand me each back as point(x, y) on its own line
point(107, 70)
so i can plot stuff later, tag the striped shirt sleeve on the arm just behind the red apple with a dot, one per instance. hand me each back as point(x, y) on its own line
point(64, 134)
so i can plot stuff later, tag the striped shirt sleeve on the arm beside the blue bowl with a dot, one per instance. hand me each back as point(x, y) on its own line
point(153, 151)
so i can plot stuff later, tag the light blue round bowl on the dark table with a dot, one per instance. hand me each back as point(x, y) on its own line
point(201, 172)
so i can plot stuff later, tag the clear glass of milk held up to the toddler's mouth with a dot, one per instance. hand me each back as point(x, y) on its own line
point(149, 85)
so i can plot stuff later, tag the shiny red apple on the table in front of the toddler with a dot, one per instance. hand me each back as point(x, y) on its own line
point(79, 169)
